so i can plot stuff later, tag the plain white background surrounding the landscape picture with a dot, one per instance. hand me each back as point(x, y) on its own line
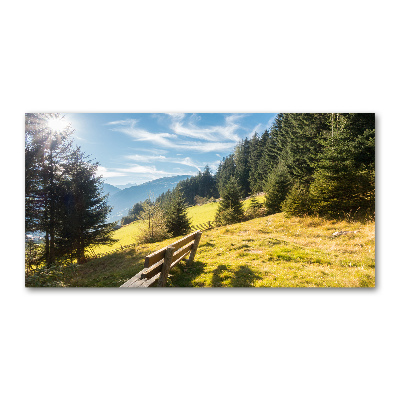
point(209, 56)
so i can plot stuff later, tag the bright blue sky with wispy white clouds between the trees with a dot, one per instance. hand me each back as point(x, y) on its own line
point(137, 148)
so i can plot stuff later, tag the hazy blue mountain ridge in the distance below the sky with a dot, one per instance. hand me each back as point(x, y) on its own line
point(123, 200)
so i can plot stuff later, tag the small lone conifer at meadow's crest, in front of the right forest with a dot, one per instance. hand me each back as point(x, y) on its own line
point(230, 209)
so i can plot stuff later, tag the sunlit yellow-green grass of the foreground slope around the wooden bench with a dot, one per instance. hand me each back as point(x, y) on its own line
point(272, 251)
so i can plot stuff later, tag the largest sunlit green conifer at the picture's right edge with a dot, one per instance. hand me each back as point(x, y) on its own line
point(344, 180)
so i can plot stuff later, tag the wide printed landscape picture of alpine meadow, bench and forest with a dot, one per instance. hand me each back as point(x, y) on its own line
point(200, 200)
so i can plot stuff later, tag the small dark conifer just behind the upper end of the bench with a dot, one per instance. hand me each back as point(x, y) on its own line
point(176, 218)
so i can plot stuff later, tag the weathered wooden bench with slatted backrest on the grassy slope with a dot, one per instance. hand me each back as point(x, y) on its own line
point(158, 264)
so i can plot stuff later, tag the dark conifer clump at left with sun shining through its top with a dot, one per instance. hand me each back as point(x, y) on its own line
point(64, 198)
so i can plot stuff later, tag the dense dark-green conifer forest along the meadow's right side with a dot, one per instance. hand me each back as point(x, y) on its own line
point(308, 163)
